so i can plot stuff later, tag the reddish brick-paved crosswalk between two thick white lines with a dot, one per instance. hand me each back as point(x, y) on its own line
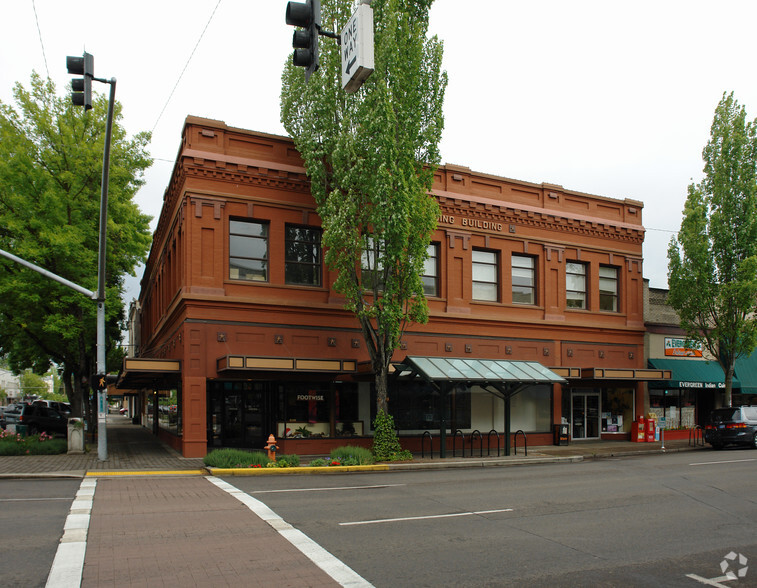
point(169, 531)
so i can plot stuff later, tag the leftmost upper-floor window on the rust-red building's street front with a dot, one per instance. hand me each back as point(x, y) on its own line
point(248, 250)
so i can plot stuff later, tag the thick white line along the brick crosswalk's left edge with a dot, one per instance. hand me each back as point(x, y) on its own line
point(68, 564)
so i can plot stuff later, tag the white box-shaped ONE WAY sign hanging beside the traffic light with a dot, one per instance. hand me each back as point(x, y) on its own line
point(357, 49)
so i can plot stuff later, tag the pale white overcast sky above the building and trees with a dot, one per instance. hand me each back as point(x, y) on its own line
point(604, 97)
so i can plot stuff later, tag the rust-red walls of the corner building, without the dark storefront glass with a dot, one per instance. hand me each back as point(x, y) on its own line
point(194, 309)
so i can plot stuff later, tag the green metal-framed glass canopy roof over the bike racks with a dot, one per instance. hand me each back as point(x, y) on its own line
point(480, 372)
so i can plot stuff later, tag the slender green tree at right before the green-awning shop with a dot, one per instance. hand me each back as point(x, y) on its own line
point(712, 270)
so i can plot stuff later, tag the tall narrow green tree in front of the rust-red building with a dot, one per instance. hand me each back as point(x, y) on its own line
point(370, 157)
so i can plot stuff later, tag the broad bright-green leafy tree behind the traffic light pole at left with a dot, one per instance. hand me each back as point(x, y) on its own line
point(50, 173)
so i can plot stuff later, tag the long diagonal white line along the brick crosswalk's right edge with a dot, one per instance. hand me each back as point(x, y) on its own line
point(338, 570)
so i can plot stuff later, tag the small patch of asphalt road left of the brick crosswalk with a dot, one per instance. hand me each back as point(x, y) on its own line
point(32, 515)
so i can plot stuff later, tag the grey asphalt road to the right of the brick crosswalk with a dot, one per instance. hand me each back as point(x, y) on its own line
point(661, 520)
